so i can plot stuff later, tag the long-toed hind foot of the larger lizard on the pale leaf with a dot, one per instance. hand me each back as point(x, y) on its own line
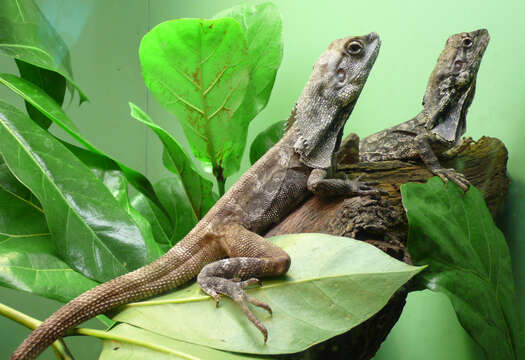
point(234, 288)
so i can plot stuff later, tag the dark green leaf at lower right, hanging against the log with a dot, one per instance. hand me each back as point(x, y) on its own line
point(469, 261)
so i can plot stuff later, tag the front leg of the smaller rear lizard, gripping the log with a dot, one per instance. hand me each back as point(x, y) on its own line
point(431, 161)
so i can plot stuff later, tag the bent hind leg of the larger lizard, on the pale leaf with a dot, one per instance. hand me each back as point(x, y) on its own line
point(250, 258)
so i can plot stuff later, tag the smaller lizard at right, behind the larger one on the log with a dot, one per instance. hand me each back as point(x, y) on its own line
point(436, 131)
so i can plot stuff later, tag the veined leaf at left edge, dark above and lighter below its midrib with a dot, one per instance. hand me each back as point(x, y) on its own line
point(28, 260)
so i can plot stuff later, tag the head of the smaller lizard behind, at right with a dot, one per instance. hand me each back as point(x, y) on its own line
point(451, 86)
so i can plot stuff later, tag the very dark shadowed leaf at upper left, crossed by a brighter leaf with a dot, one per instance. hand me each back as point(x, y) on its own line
point(50, 82)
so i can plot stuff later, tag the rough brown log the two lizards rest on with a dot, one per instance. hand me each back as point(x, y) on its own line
point(381, 221)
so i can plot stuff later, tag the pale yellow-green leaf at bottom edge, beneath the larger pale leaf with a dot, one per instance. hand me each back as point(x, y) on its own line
point(148, 345)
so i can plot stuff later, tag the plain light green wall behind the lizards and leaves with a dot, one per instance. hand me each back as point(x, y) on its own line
point(104, 38)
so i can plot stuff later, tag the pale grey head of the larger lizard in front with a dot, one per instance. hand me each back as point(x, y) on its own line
point(330, 95)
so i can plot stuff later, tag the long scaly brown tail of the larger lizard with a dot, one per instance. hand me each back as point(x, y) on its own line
point(157, 277)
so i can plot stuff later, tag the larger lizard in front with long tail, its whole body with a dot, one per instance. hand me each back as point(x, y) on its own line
point(298, 164)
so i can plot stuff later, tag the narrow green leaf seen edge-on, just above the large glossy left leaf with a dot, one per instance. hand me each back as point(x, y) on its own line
point(44, 103)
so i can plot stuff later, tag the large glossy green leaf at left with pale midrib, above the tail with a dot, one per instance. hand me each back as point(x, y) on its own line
point(92, 232)
